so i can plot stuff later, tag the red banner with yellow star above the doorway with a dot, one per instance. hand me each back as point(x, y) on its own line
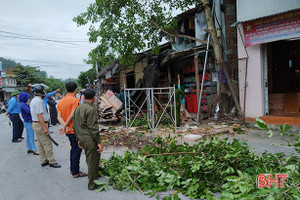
point(274, 28)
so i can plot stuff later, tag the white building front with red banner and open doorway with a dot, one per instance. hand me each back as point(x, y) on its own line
point(269, 59)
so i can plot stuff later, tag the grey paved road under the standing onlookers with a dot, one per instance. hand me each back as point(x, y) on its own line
point(22, 177)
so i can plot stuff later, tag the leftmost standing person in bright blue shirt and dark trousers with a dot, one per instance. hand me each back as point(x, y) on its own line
point(14, 114)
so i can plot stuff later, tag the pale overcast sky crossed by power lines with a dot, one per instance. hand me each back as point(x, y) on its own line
point(49, 20)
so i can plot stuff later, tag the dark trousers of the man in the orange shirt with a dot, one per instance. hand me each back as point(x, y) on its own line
point(75, 154)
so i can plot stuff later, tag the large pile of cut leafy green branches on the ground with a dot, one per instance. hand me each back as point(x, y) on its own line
point(204, 170)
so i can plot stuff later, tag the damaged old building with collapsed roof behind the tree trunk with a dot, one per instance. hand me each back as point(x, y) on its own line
point(185, 57)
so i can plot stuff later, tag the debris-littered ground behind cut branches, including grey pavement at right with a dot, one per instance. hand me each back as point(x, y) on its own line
point(136, 138)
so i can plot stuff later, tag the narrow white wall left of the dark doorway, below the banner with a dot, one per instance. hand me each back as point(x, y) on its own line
point(254, 94)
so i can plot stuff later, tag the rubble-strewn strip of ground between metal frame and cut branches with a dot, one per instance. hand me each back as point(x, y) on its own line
point(137, 137)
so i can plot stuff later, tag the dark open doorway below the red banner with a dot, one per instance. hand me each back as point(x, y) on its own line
point(284, 77)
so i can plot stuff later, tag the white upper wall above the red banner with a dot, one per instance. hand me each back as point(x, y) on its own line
point(253, 9)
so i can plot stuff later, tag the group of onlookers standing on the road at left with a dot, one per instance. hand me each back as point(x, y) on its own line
point(79, 124)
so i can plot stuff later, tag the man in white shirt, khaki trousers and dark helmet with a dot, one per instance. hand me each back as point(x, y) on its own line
point(40, 118)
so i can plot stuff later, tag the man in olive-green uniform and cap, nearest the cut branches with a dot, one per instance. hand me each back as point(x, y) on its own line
point(87, 133)
